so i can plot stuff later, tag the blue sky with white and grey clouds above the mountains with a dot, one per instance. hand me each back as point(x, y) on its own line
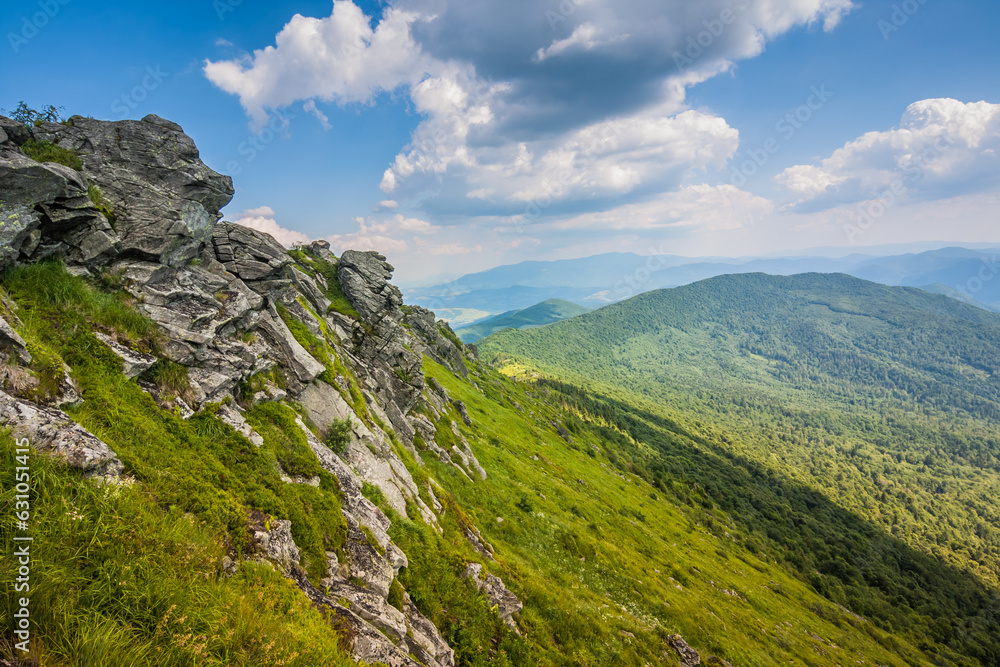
point(456, 136)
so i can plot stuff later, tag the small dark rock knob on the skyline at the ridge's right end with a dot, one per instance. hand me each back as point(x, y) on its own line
point(364, 277)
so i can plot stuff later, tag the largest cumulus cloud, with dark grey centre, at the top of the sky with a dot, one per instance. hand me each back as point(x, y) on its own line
point(512, 95)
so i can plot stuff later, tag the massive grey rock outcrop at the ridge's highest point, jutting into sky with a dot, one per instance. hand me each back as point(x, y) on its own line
point(164, 198)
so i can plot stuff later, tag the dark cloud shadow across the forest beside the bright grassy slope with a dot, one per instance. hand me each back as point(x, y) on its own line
point(846, 558)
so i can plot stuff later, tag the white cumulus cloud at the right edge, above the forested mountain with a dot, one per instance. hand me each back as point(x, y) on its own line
point(942, 147)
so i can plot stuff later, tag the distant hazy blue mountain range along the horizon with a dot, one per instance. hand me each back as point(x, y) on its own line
point(602, 279)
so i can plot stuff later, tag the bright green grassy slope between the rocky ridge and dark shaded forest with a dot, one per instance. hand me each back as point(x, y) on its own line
point(595, 553)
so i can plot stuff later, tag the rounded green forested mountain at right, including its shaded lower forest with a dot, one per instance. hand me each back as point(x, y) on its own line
point(881, 400)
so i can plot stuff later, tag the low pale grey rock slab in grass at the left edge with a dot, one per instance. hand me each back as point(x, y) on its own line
point(51, 431)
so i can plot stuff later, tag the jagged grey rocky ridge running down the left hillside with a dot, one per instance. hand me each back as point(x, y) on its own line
point(238, 312)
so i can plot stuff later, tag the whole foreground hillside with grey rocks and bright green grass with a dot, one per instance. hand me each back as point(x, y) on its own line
point(236, 454)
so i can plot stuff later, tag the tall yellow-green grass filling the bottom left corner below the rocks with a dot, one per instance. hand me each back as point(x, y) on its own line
point(119, 580)
